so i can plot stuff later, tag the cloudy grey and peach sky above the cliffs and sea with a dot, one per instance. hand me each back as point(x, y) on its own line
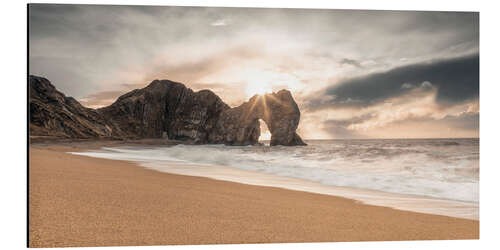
point(353, 73)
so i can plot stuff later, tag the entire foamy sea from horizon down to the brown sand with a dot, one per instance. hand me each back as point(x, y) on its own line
point(437, 176)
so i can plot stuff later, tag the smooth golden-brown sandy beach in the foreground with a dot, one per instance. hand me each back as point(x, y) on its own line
point(82, 201)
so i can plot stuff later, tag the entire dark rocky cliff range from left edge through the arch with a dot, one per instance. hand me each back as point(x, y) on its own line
point(165, 109)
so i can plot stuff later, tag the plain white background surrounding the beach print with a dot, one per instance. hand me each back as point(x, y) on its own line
point(13, 123)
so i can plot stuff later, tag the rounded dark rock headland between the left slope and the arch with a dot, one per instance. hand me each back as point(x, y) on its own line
point(166, 109)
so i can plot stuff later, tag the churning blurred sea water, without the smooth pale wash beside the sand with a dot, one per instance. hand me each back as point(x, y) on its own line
point(420, 167)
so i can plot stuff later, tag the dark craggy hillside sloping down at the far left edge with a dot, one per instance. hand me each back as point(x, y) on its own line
point(53, 114)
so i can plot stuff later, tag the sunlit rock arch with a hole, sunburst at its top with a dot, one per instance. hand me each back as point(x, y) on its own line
point(240, 125)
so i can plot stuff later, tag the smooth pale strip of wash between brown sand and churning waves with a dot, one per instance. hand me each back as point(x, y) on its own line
point(401, 201)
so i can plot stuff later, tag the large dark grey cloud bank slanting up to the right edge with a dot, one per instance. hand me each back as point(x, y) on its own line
point(456, 79)
